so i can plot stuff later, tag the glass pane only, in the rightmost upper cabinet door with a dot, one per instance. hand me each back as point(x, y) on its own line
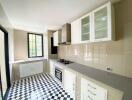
point(101, 23)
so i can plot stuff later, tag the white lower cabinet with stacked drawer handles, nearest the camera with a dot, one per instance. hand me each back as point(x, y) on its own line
point(90, 91)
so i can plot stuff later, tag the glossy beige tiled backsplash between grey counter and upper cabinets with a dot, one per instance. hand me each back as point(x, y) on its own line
point(100, 56)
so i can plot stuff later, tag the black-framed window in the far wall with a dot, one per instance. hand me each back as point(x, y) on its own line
point(35, 45)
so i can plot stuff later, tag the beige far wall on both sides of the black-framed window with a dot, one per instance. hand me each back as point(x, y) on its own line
point(21, 46)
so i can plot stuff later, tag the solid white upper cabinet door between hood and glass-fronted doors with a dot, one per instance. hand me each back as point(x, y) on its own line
point(75, 32)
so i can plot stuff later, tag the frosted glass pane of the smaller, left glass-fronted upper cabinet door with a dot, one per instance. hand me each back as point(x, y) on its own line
point(85, 28)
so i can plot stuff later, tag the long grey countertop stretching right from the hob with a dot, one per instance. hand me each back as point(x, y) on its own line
point(116, 81)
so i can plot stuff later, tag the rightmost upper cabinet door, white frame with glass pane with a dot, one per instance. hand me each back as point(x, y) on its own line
point(102, 23)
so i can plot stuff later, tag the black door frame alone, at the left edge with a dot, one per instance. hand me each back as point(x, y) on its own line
point(6, 57)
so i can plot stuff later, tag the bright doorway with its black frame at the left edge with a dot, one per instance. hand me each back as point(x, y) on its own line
point(4, 63)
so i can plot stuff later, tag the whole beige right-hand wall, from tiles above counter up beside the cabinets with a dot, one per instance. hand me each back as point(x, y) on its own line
point(114, 54)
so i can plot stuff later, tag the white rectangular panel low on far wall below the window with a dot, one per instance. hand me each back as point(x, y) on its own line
point(28, 69)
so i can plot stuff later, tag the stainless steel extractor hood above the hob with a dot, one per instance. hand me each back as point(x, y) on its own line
point(66, 34)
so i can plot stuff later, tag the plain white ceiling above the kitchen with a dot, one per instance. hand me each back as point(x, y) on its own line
point(40, 15)
